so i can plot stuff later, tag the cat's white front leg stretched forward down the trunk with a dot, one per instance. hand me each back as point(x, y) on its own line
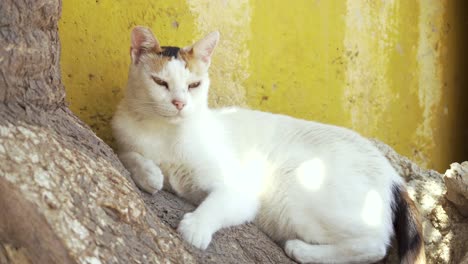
point(222, 208)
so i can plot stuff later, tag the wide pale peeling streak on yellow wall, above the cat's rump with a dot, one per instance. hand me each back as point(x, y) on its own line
point(369, 38)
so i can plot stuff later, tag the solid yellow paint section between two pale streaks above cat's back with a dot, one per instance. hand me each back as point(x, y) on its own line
point(297, 59)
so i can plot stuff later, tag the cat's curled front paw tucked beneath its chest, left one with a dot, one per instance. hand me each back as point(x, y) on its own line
point(148, 177)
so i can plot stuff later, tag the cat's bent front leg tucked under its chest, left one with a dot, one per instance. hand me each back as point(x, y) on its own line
point(144, 172)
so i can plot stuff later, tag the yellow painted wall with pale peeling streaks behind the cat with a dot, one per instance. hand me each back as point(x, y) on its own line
point(374, 66)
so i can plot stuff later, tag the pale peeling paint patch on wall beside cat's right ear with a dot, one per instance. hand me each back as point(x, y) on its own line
point(230, 69)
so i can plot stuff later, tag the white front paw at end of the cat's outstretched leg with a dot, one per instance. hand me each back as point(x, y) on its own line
point(195, 231)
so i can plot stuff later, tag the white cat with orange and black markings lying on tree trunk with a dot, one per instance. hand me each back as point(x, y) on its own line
point(324, 192)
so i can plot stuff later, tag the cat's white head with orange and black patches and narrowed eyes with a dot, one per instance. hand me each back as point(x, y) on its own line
point(168, 82)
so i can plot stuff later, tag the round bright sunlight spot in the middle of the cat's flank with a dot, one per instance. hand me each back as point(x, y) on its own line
point(311, 174)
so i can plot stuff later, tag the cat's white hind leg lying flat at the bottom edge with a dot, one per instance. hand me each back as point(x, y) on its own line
point(358, 250)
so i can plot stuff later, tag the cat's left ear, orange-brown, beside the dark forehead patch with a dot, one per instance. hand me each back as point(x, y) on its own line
point(142, 40)
